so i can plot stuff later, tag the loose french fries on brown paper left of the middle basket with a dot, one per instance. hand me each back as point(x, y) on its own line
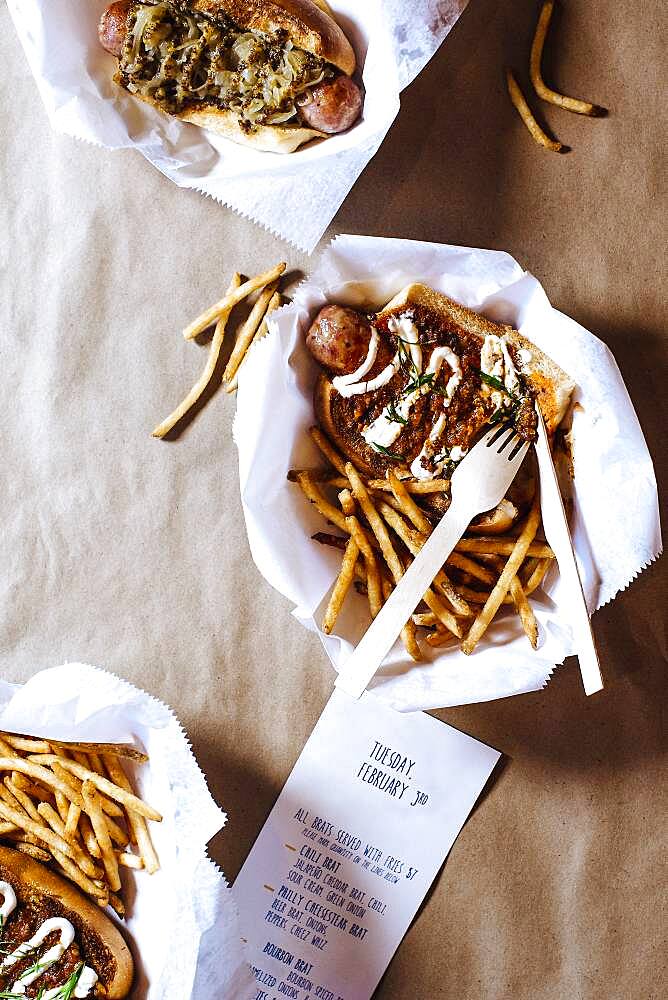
point(254, 327)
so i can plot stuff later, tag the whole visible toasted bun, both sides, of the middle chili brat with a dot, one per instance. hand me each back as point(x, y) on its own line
point(553, 388)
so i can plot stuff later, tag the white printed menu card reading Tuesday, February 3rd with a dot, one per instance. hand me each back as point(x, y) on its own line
point(359, 832)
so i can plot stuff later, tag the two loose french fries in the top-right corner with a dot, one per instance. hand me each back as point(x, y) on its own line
point(542, 90)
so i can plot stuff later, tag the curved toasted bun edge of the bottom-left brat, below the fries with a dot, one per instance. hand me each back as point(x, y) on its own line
point(101, 944)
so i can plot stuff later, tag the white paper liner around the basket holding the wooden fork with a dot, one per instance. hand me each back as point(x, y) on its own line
point(615, 521)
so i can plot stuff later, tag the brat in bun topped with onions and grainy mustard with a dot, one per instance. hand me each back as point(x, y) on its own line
point(272, 74)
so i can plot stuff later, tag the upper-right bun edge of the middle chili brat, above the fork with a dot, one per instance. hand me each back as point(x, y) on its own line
point(553, 387)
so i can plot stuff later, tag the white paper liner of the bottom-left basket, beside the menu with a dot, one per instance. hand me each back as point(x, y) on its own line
point(182, 922)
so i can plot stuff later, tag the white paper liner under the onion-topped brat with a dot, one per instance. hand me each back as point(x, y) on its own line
point(294, 196)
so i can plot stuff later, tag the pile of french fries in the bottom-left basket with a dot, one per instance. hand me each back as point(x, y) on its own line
point(71, 805)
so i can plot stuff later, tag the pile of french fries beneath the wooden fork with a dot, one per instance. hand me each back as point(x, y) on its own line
point(382, 528)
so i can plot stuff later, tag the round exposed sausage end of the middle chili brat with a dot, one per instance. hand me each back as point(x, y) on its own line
point(339, 339)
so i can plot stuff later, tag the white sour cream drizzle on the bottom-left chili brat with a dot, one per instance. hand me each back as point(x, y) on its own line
point(88, 976)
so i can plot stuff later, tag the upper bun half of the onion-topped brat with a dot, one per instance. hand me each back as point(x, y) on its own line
point(308, 25)
